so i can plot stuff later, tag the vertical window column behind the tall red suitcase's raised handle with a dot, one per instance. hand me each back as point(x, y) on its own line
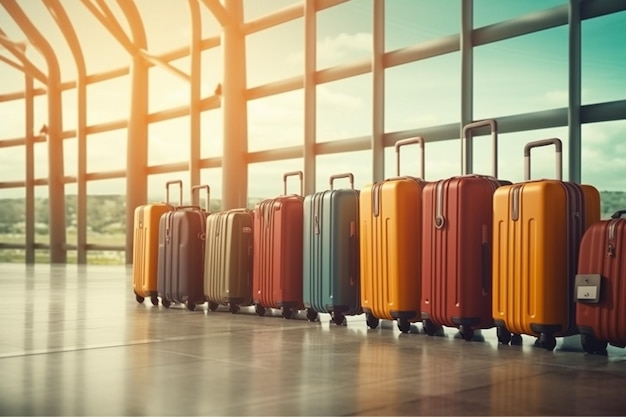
point(467, 80)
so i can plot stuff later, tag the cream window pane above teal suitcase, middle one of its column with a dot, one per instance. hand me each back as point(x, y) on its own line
point(344, 108)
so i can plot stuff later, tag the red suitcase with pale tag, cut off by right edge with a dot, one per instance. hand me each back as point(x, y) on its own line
point(601, 285)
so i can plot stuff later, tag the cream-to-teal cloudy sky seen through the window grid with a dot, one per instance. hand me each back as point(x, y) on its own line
point(515, 76)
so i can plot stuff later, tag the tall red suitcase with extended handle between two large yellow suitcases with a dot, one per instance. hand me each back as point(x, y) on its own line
point(456, 247)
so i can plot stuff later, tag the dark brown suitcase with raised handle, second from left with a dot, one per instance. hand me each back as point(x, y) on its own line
point(180, 276)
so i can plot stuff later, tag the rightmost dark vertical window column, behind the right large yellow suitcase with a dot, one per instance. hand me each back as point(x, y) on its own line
point(573, 109)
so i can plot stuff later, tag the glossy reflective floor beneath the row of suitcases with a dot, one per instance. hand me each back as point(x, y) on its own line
point(75, 342)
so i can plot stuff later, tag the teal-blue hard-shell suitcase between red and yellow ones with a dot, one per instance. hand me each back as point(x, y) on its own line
point(331, 252)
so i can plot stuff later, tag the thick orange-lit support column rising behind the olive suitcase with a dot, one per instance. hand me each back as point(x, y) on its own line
point(234, 107)
